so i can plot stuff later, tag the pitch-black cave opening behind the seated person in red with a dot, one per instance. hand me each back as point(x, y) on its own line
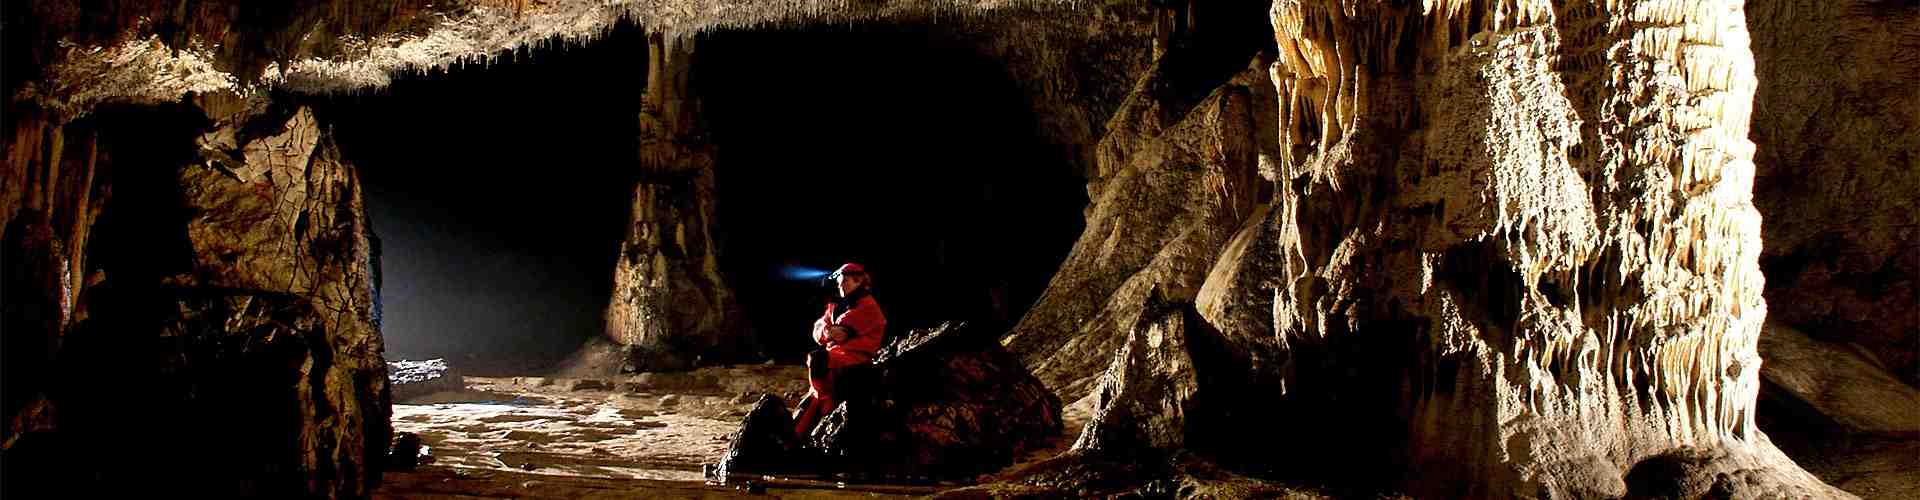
point(886, 147)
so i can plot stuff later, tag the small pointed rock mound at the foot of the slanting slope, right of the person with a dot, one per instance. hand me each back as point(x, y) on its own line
point(1174, 399)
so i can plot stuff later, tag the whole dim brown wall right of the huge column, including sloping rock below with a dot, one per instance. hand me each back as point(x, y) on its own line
point(1835, 124)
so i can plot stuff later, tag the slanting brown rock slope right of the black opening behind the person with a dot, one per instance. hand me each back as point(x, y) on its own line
point(1159, 224)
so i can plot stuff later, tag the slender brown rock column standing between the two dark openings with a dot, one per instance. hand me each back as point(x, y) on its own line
point(671, 309)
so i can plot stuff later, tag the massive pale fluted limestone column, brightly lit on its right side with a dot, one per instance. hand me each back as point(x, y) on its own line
point(1575, 274)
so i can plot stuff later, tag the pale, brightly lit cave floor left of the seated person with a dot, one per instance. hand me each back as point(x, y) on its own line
point(633, 437)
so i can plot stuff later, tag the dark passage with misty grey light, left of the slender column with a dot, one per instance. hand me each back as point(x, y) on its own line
point(500, 197)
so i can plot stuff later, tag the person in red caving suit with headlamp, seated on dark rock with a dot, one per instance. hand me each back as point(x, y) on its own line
point(848, 334)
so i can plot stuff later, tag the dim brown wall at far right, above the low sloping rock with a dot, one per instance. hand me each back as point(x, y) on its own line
point(1838, 128)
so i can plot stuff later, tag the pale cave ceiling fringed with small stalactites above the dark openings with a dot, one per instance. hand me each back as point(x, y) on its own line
point(145, 55)
